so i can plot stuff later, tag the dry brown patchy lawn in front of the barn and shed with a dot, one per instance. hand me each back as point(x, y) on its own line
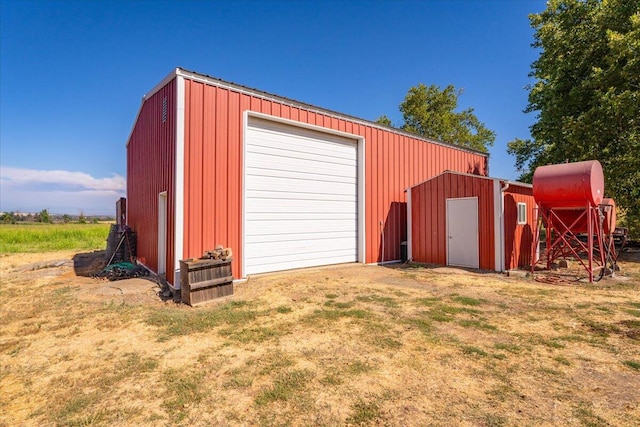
point(345, 345)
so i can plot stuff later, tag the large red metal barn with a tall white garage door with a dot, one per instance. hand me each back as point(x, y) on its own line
point(283, 183)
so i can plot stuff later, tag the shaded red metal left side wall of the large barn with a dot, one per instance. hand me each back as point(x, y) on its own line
point(150, 170)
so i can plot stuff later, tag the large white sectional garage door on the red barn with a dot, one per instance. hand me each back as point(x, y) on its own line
point(301, 202)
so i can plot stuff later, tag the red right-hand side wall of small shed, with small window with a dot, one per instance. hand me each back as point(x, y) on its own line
point(518, 238)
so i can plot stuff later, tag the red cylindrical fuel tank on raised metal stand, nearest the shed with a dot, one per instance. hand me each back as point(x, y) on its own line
point(569, 185)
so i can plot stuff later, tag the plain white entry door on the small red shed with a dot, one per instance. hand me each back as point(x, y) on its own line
point(462, 232)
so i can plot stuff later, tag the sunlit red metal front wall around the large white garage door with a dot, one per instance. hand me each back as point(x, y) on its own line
point(213, 170)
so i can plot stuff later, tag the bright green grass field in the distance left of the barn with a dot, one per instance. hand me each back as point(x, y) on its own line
point(36, 237)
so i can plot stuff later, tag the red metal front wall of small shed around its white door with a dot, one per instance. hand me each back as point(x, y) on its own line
point(428, 217)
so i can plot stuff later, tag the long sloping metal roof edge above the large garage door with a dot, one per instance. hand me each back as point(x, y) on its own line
point(214, 81)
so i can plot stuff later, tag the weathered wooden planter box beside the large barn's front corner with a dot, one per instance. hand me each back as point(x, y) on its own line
point(205, 279)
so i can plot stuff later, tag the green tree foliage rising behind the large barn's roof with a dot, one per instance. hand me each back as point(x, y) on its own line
point(431, 112)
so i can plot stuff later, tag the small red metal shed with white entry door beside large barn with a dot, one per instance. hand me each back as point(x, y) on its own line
point(471, 221)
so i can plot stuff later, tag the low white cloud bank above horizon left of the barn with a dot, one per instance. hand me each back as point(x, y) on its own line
point(31, 190)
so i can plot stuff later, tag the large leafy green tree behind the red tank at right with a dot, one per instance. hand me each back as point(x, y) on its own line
point(586, 94)
